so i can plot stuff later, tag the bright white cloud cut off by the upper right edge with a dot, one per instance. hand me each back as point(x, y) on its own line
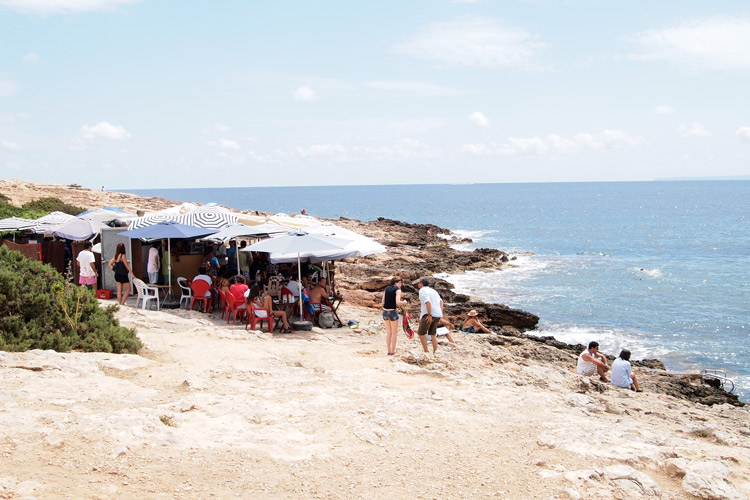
point(714, 43)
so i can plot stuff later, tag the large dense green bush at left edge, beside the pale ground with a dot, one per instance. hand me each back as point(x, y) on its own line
point(40, 310)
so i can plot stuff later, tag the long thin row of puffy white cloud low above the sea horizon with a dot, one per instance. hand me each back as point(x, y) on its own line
point(555, 144)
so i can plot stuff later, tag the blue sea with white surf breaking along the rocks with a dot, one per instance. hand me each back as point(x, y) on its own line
point(661, 268)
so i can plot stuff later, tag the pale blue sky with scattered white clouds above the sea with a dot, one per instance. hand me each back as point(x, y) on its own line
point(131, 94)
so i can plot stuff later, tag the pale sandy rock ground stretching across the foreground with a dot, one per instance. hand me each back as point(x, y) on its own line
point(213, 411)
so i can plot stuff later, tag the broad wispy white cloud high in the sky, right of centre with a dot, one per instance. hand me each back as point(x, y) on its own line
point(474, 42)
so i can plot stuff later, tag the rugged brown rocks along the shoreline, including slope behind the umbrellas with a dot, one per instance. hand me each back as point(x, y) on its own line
point(414, 250)
